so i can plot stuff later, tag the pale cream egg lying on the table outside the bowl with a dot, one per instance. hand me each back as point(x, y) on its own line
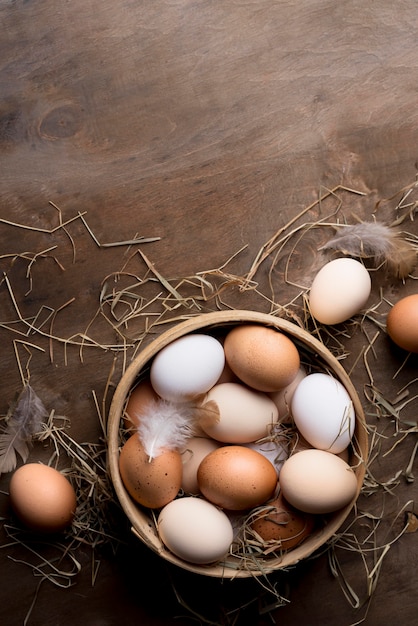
point(339, 290)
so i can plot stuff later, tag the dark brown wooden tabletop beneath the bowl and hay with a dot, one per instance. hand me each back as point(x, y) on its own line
point(208, 127)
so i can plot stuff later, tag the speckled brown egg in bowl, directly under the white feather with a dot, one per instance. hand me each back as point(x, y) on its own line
point(152, 483)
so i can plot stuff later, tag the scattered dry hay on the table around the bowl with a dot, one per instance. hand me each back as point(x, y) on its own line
point(137, 302)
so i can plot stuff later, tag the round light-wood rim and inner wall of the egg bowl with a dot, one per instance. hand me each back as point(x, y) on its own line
point(142, 521)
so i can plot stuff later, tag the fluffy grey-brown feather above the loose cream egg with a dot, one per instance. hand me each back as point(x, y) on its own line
point(378, 242)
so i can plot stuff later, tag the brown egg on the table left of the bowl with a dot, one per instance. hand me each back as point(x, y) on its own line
point(42, 498)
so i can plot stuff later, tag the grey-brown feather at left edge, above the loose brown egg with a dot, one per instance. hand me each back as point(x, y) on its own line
point(24, 421)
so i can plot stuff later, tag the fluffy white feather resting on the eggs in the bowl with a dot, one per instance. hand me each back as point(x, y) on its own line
point(165, 425)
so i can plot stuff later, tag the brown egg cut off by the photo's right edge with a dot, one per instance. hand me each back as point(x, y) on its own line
point(402, 323)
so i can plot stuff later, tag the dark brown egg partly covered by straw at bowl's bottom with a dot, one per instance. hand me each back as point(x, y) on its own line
point(284, 524)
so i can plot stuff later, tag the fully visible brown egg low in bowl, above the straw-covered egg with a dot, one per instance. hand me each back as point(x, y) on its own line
point(237, 478)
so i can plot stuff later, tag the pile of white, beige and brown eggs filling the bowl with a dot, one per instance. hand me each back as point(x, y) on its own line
point(239, 472)
